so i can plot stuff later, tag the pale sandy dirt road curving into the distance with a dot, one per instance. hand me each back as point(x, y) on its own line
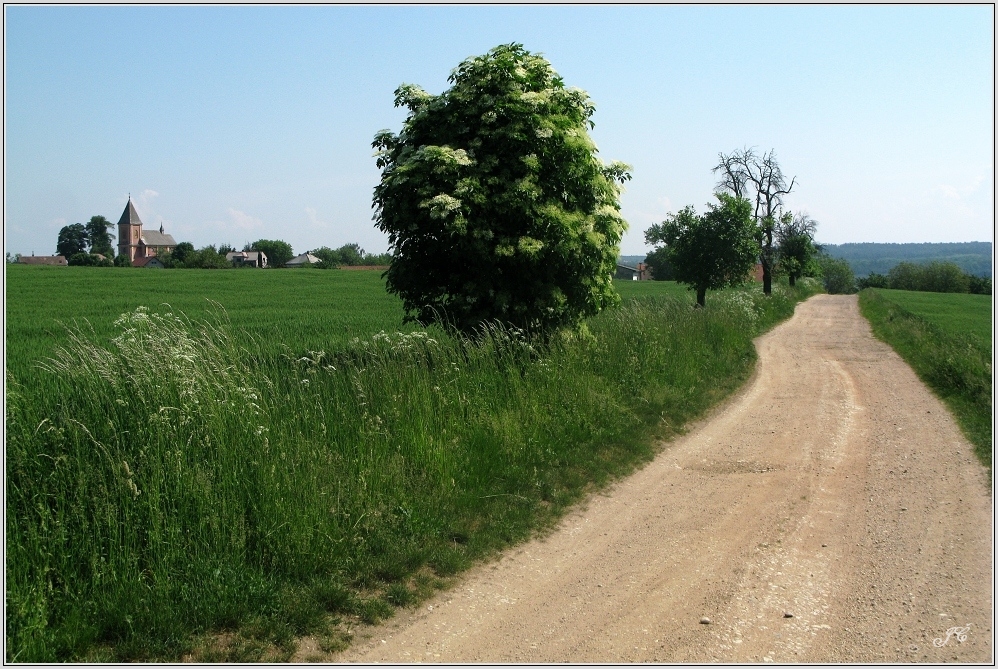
point(832, 512)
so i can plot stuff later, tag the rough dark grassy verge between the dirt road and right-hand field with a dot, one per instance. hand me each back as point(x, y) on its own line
point(956, 366)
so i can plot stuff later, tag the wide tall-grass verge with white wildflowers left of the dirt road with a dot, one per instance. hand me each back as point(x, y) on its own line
point(170, 483)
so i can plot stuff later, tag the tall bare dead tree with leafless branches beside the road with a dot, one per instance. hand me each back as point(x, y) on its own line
point(743, 172)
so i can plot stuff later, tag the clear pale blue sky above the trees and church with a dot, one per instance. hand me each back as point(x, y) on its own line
point(231, 124)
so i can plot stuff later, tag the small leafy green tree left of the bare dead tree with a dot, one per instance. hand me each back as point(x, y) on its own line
point(712, 251)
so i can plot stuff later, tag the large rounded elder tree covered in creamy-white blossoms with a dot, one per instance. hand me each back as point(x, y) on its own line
point(495, 204)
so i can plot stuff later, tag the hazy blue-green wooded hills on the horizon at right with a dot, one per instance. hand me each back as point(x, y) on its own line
point(864, 259)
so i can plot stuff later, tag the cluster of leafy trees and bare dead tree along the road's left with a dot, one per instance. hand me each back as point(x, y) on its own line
point(719, 248)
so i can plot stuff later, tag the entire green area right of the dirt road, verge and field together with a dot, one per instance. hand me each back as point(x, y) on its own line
point(943, 343)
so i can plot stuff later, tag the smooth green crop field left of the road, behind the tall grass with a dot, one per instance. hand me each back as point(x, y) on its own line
point(306, 310)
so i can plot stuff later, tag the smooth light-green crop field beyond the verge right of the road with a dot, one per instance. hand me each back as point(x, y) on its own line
point(955, 313)
